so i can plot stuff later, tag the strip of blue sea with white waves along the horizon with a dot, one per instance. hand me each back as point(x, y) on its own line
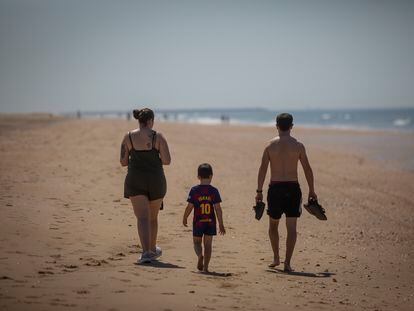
point(401, 119)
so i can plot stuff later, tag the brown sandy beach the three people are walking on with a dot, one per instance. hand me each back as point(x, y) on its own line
point(68, 238)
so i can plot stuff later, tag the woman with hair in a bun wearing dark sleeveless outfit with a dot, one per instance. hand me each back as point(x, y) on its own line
point(145, 152)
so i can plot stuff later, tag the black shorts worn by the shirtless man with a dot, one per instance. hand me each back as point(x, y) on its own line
point(284, 197)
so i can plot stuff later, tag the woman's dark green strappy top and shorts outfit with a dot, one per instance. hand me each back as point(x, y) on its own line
point(145, 173)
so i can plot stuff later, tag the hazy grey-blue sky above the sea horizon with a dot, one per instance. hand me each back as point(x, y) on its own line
point(64, 55)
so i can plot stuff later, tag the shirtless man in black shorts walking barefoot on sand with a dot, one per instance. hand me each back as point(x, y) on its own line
point(284, 195)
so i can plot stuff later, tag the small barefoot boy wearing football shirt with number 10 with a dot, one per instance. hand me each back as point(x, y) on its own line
point(205, 200)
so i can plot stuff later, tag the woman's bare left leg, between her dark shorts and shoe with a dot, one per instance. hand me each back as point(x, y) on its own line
point(140, 204)
